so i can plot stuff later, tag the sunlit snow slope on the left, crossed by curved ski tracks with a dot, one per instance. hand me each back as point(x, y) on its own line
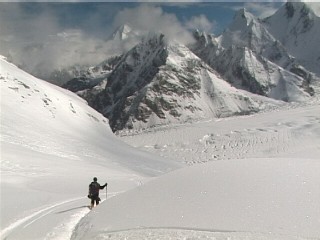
point(52, 145)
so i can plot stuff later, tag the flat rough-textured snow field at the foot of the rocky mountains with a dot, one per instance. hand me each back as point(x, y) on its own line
point(290, 132)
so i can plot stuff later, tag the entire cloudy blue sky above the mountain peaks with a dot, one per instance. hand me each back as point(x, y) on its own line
point(52, 33)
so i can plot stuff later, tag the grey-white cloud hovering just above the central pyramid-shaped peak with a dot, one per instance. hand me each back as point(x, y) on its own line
point(152, 18)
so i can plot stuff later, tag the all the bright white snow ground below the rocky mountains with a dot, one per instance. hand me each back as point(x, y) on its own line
point(258, 177)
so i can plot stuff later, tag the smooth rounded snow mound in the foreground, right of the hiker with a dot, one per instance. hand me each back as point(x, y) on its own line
point(256, 198)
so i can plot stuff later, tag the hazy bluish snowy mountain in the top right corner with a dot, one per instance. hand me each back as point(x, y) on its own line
point(297, 27)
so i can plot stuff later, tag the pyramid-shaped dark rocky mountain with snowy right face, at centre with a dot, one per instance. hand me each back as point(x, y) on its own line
point(158, 82)
